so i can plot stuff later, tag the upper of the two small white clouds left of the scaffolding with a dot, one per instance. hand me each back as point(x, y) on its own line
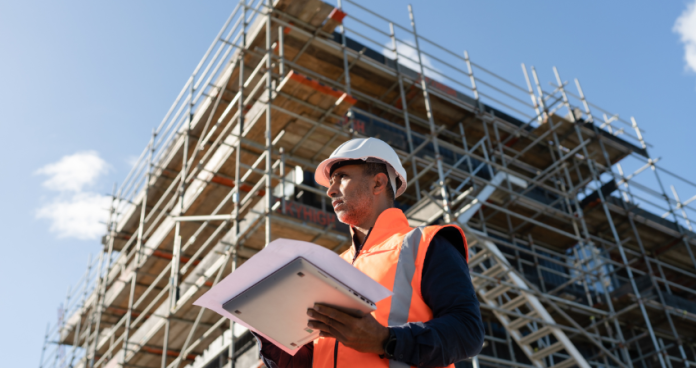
point(71, 173)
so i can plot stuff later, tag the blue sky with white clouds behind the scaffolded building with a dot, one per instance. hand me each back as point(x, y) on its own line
point(83, 84)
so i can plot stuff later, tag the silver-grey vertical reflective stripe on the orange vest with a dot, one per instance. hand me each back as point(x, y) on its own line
point(403, 290)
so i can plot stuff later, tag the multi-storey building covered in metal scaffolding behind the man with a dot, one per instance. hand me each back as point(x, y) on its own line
point(582, 252)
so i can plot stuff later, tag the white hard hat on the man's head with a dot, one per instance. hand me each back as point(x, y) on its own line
point(369, 150)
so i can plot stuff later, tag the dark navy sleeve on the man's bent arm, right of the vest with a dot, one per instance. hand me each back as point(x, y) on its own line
point(456, 330)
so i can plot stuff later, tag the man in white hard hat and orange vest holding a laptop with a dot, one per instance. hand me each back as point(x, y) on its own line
point(433, 318)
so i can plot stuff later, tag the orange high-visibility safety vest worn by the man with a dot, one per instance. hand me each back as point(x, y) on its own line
point(393, 255)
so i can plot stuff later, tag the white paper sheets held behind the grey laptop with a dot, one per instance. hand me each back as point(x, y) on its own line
point(276, 255)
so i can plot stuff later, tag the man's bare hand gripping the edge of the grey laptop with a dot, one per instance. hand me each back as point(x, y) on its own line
point(363, 334)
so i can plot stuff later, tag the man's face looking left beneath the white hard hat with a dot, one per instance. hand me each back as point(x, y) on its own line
point(350, 194)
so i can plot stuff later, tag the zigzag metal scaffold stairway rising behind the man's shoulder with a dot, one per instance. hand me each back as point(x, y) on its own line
point(503, 290)
